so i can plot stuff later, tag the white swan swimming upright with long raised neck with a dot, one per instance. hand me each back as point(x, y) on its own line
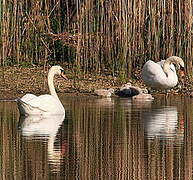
point(46, 104)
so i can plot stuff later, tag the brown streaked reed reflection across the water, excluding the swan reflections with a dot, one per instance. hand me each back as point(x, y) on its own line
point(97, 141)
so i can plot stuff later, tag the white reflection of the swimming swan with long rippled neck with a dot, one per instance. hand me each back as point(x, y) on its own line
point(44, 128)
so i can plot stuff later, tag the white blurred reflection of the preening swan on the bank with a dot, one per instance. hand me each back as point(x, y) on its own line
point(161, 122)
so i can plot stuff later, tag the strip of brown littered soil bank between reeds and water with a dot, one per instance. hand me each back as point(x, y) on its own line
point(17, 81)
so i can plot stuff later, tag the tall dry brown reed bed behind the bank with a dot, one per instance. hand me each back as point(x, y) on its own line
point(96, 36)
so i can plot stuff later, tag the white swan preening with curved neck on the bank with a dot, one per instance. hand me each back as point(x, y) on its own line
point(162, 75)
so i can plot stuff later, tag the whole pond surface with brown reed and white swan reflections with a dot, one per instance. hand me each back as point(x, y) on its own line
point(100, 138)
